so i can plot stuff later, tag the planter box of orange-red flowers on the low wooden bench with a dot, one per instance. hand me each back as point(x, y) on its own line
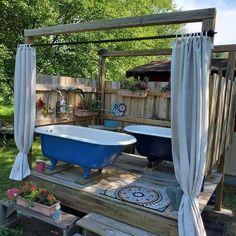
point(38, 199)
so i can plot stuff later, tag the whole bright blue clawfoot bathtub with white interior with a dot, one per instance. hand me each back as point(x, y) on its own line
point(89, 148)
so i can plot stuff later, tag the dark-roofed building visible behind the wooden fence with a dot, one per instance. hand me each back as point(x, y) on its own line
point(159, 71)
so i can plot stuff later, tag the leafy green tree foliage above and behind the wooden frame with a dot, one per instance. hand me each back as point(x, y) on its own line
point(76, 60)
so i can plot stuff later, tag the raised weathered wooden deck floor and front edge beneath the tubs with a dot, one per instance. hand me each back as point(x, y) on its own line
point(128, 169)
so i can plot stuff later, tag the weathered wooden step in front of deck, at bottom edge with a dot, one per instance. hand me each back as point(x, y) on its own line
point(106, 226)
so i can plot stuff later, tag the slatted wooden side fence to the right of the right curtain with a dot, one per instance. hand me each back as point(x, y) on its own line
point(222, 97)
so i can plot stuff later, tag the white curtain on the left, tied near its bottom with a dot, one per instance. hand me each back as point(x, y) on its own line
point(24, 108)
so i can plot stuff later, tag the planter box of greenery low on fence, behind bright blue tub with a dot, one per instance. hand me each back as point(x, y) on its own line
point(88, 107)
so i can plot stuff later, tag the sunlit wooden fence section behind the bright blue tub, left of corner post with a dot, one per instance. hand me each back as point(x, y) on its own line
point(47, 87)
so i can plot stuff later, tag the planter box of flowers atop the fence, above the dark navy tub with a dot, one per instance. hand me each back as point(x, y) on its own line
point(132, 87)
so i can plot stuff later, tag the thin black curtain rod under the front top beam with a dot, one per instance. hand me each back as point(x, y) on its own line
point(209, 33)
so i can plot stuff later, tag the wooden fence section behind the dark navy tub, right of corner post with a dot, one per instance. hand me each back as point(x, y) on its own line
point(153, 109)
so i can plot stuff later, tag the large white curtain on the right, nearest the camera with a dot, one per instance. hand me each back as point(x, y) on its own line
point(189, 121)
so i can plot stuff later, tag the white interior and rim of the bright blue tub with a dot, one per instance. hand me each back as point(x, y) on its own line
point(88, 135)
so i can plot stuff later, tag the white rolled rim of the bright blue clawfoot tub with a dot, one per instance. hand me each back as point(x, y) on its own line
point(42, 130)
